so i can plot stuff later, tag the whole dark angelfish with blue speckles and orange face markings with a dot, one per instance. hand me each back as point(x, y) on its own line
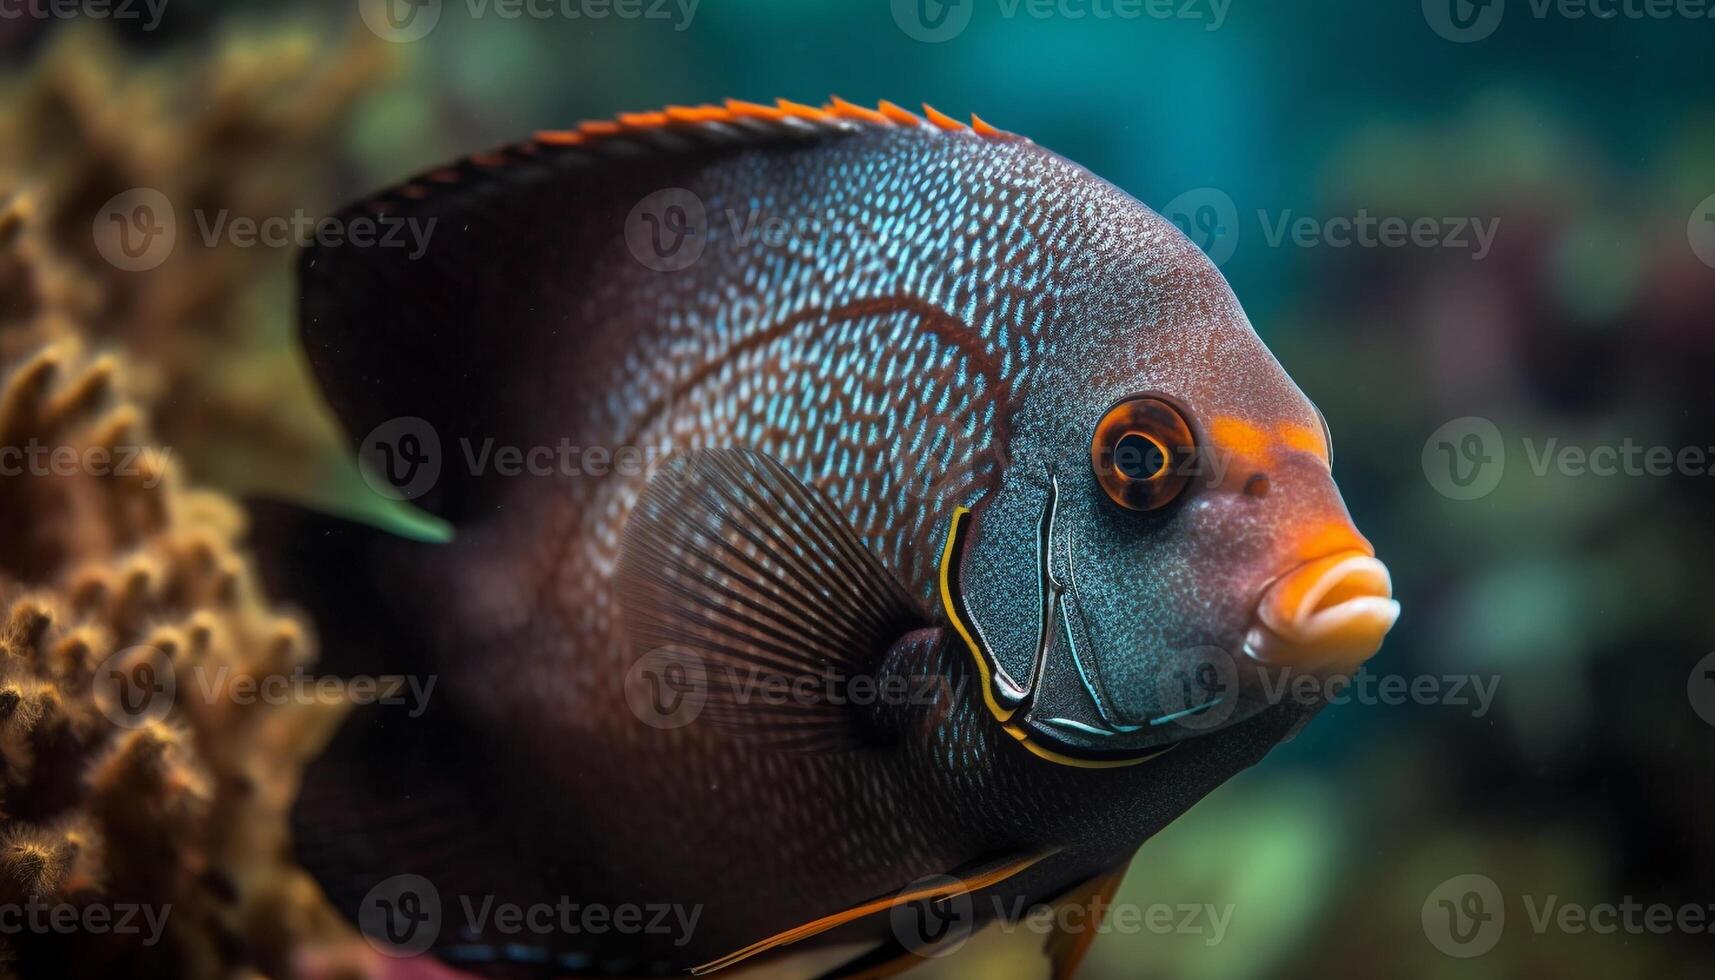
point(970, 521)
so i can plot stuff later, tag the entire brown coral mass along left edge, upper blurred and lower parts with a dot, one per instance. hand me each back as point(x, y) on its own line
point(183, 813)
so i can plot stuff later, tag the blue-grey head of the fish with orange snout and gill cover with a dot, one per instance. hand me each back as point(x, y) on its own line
point(1169, 543)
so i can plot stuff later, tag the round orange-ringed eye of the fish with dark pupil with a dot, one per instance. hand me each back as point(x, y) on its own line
point(1140, 452)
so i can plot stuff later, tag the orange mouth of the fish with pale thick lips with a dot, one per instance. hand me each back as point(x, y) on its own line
point(1328, 614)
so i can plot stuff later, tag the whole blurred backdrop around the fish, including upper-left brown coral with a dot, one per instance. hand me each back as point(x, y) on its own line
point(1558, 293)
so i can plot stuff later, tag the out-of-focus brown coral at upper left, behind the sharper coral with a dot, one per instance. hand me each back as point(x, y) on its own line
point(246, 131)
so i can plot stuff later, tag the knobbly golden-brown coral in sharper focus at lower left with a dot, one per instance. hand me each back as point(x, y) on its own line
point(116, 572)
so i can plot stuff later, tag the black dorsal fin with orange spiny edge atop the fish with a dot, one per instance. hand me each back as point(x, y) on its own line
point(464, 303)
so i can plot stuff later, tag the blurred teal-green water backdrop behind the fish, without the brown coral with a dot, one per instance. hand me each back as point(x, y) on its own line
point(1591, 320)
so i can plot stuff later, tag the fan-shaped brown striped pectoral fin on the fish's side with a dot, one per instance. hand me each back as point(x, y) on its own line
point(735, 567)
